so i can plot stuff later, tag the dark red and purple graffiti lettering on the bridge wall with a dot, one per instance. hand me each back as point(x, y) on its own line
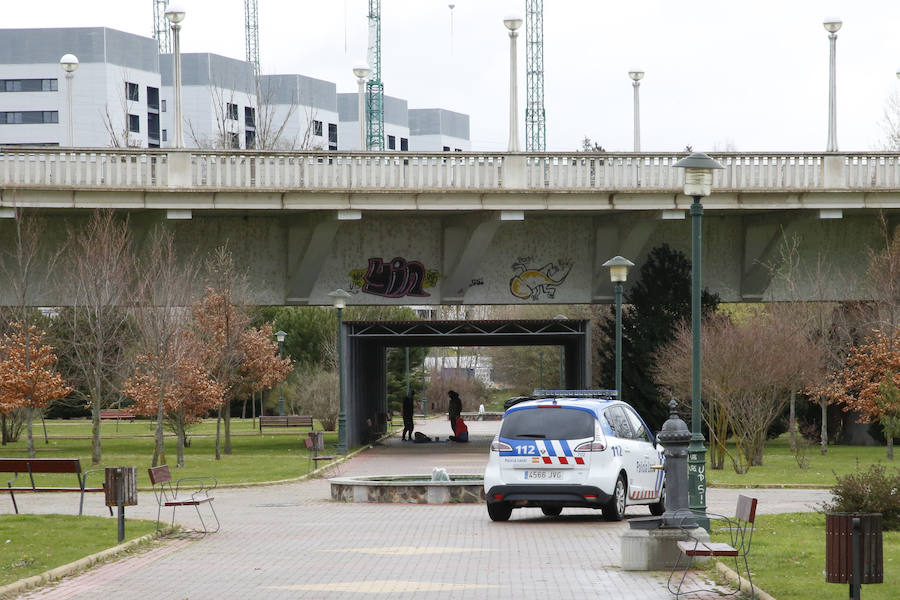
point(395, 279)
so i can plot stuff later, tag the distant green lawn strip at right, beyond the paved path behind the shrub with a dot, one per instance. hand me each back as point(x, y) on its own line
point(780, 466)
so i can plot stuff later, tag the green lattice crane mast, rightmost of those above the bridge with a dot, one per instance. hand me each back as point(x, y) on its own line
point(535, 117)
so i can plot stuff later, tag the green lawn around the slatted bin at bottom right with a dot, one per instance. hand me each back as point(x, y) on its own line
point(787, 558)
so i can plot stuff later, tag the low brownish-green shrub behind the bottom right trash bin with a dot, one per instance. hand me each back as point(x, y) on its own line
point(875, 490)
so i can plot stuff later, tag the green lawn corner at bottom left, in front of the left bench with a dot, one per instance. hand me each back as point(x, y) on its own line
point(32, 544)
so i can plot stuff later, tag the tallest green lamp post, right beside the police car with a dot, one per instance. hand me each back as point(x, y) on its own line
point(698, 168)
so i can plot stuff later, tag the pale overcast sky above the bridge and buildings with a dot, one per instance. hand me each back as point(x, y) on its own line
point(735, 74)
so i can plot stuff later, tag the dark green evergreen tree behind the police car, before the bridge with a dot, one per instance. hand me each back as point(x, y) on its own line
point(658, 300)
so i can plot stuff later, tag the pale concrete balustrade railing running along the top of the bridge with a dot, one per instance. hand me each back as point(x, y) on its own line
point(604, 172)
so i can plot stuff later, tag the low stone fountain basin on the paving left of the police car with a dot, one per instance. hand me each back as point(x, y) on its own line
point(408, 489)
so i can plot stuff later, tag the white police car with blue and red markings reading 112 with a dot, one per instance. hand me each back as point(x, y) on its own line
point(578, 448)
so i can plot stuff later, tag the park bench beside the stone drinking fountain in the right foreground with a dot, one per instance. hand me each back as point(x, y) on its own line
point(740, 529)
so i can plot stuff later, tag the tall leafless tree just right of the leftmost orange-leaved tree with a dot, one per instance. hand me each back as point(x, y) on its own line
point(100, 276)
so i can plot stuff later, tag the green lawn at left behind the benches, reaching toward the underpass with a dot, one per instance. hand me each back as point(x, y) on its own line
point(276, 454)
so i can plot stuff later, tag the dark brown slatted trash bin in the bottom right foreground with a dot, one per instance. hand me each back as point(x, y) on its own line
point(839, 548)
